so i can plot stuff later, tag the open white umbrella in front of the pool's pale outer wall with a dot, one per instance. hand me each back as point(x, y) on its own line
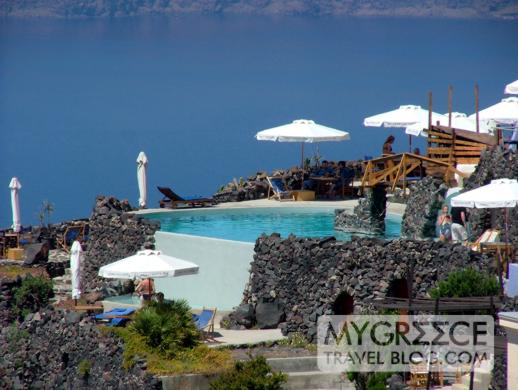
point(148, 264)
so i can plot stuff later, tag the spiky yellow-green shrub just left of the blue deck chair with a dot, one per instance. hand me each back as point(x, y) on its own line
point(167, 326)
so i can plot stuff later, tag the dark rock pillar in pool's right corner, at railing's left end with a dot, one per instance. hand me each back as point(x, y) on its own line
point(368, 216)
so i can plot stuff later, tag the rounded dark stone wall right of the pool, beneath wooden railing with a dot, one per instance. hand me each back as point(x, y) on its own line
point(424, 202)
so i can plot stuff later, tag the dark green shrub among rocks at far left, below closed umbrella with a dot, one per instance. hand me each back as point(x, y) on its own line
point(34, 293)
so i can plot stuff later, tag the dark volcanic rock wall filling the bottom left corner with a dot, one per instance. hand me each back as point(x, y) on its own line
point(47, 350)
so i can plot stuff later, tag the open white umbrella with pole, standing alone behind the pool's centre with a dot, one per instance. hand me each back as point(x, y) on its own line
point(302, 130)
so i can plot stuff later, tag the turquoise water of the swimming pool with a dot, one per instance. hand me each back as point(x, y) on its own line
point(248, 224)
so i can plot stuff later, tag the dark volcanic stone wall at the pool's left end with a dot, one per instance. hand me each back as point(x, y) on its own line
point(114, 234)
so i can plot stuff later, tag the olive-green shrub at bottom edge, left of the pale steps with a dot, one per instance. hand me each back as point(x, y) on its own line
point(254, 374)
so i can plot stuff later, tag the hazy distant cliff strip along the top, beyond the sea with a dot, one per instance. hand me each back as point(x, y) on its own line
point(500, 9)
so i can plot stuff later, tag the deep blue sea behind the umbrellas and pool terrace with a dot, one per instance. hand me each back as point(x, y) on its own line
point(80, 98)
